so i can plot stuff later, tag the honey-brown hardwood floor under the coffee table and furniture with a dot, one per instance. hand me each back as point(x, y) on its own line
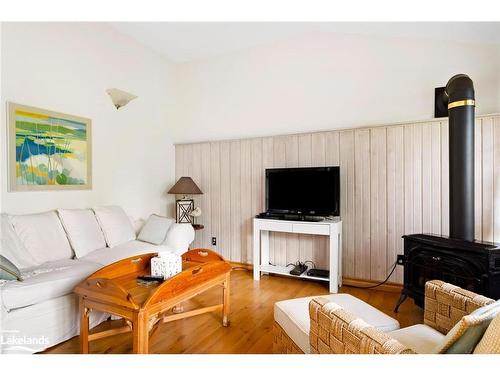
point(251, 319)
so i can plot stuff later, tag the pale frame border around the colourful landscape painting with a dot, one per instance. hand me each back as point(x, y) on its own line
point(14, 186)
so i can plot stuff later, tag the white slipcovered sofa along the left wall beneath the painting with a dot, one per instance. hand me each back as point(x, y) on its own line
point(54, 252)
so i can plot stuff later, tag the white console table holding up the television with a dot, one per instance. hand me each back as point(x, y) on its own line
point(330, 228)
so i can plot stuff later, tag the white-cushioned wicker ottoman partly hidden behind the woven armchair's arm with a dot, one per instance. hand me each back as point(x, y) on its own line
point(293, 316)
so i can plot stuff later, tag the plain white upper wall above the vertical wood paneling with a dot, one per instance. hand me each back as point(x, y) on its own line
point(326, 81)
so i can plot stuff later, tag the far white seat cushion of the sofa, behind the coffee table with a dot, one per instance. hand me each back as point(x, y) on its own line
point(125, 250)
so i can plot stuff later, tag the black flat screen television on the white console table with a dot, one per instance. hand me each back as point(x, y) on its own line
point(303, 191)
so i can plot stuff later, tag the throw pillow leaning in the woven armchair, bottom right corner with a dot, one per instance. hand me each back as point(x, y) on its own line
point(465, 335)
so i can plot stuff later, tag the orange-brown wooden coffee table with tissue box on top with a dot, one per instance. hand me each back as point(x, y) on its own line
point(114, 289)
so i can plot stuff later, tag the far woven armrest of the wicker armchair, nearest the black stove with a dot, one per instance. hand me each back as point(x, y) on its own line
point(446, 304)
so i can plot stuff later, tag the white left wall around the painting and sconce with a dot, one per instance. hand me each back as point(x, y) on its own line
point(67, 68)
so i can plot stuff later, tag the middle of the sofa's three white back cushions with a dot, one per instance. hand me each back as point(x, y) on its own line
point(83, 231)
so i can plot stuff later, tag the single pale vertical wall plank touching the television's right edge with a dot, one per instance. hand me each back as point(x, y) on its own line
point(347, 201)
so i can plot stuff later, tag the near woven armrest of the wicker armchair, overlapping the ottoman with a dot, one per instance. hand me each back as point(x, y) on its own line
point(335, 331)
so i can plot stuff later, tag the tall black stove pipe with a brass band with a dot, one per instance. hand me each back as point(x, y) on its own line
point(461, 104)
